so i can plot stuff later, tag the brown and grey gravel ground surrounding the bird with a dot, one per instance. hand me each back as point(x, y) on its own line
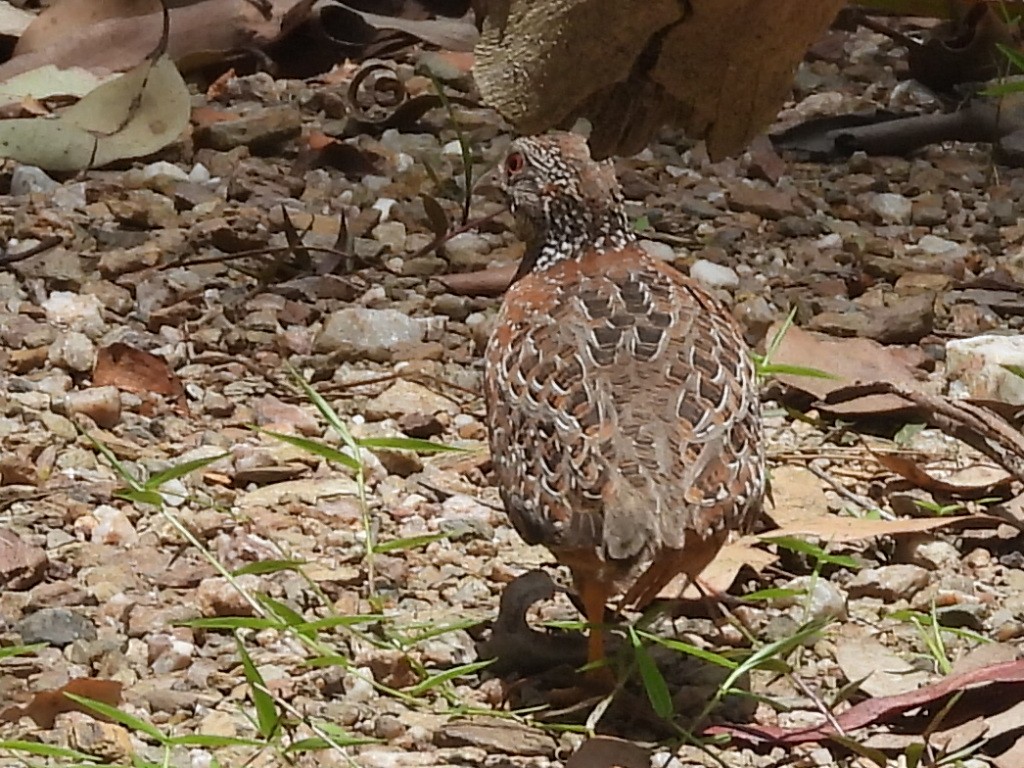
point(155, 290)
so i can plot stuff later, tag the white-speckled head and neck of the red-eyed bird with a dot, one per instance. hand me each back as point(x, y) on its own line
point(564, 201)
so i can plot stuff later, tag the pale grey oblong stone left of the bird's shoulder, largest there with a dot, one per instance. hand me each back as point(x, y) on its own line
point(358, 332)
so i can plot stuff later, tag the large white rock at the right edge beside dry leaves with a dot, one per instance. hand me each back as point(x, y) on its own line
point(975, 368)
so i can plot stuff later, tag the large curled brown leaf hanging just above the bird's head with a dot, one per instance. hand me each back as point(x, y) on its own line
point(632, 68)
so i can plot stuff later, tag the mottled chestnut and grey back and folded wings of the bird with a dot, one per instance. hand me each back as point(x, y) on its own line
point(623, 409)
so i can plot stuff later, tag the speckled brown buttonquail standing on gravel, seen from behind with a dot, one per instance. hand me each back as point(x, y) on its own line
point(622, 400)
